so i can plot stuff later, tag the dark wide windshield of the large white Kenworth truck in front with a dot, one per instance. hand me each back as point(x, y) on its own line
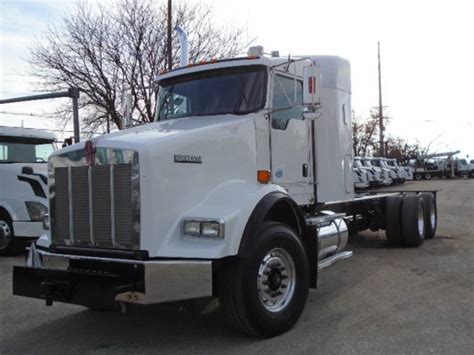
point(237, 90)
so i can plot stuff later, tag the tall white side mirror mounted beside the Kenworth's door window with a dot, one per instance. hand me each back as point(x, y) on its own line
point(312, 91)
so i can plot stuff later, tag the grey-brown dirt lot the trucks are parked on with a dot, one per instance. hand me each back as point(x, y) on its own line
point(383, 300)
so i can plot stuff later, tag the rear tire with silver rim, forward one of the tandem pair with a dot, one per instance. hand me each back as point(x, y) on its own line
point(413, 221)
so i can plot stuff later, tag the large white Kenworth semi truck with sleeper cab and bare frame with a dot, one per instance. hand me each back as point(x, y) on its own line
point(242, 190)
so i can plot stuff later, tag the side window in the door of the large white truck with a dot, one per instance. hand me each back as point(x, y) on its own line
point(285, 97)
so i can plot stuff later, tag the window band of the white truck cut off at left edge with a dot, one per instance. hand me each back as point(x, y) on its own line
point(18, 150)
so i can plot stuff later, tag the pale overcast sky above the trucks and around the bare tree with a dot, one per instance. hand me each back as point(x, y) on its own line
point(427, 56)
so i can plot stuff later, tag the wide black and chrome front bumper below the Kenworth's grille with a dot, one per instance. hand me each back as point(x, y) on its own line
point(153, 281)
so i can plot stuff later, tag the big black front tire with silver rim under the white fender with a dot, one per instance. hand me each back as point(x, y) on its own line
point(264, 293)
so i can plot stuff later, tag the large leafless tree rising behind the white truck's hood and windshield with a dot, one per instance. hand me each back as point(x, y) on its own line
point(105, 50)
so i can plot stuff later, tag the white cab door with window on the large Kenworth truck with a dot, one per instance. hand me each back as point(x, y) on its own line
point(290, 140)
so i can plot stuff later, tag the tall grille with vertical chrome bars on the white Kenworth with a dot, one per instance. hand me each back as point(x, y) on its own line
point(92, 206)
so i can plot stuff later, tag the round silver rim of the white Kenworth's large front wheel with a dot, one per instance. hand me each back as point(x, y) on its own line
point(276, 280)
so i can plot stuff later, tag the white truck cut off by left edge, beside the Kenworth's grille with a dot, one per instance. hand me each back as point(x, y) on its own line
point(24, 154)
